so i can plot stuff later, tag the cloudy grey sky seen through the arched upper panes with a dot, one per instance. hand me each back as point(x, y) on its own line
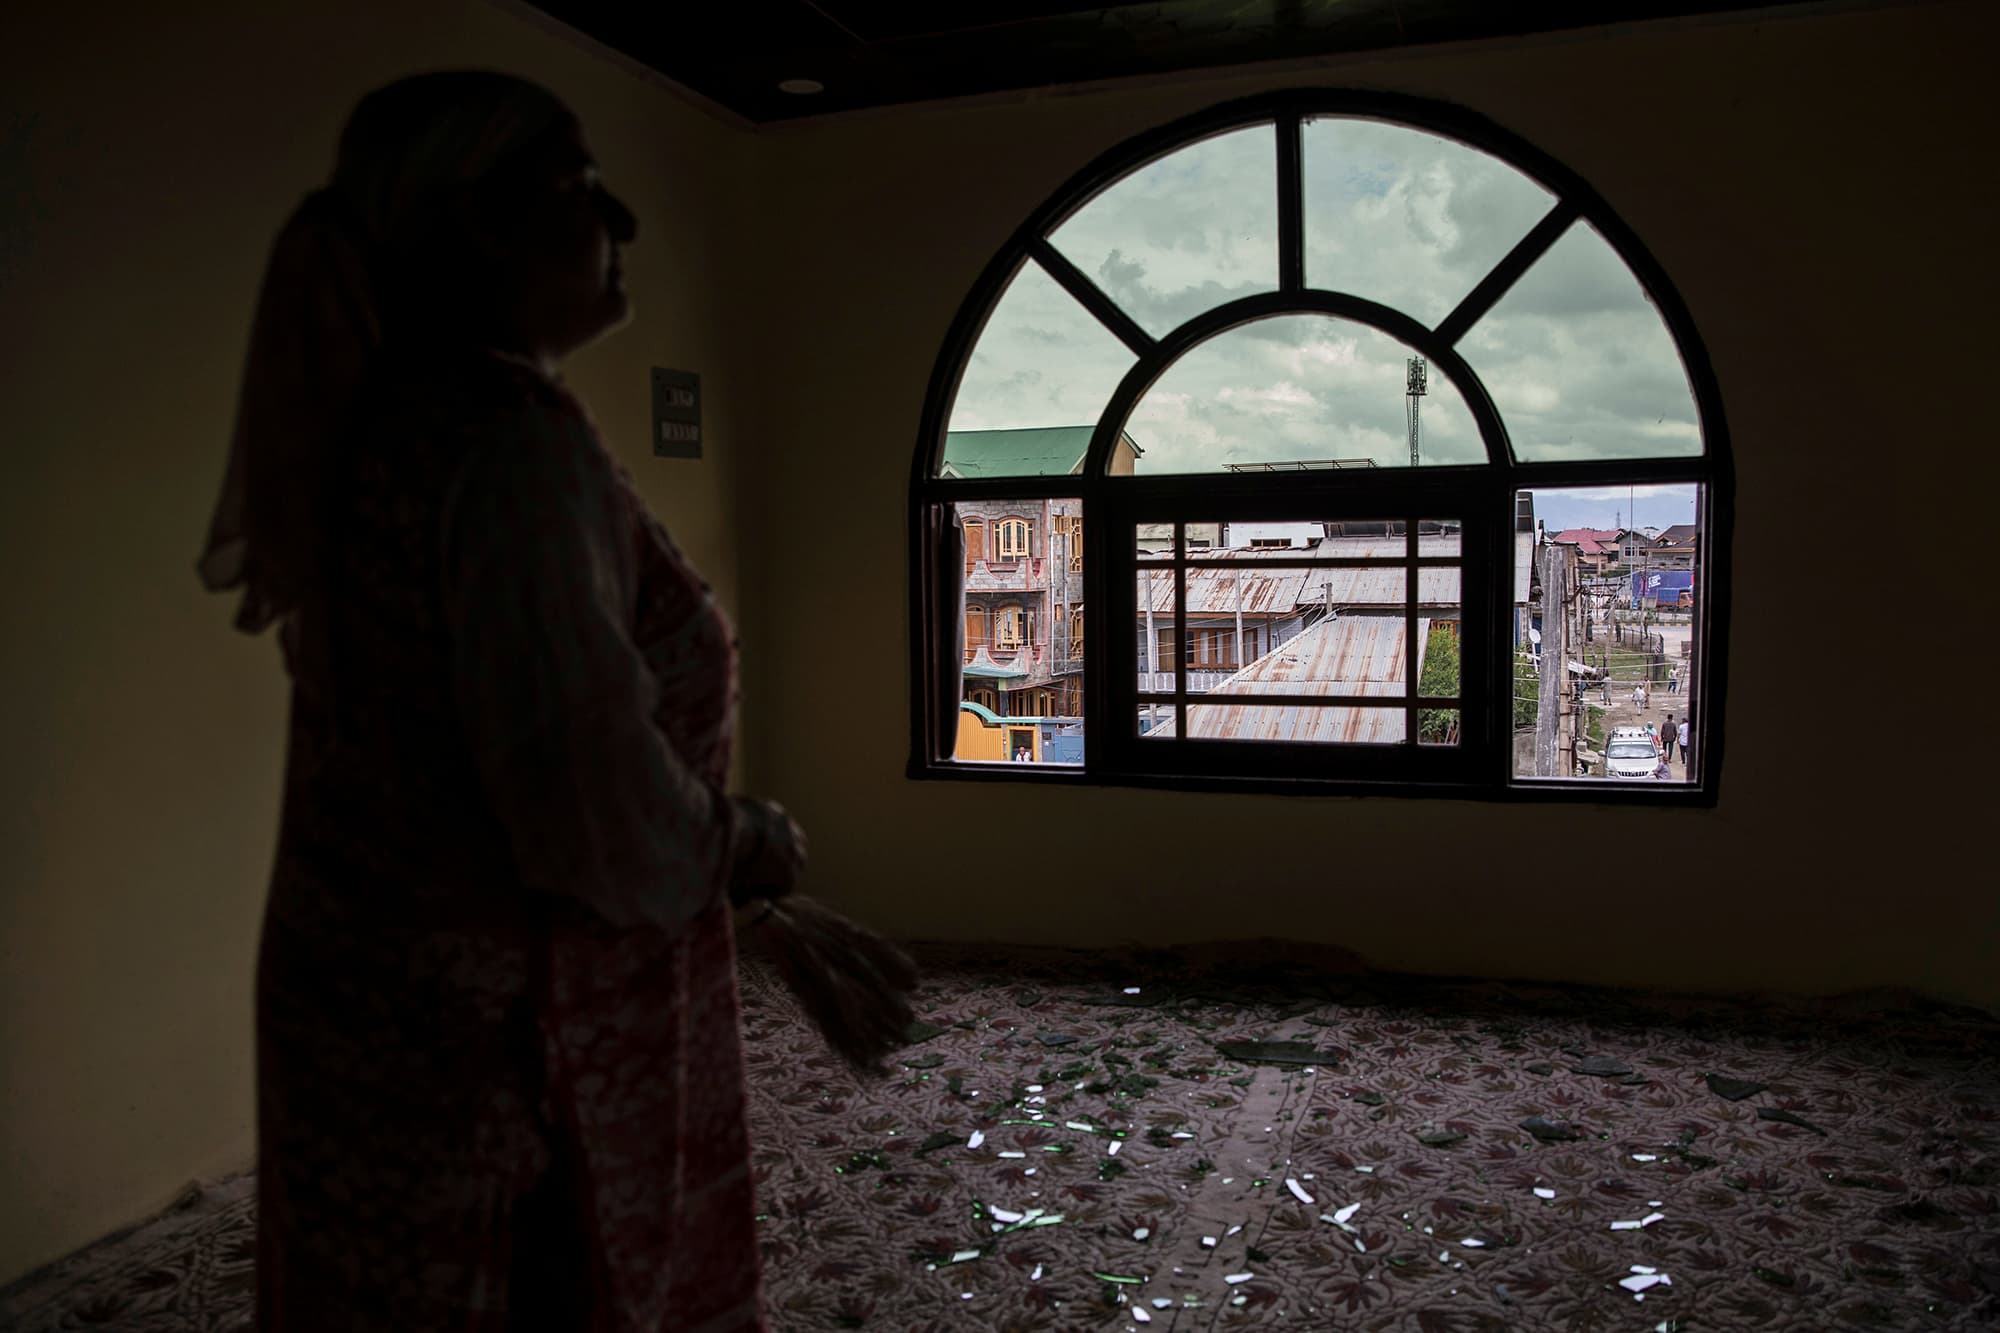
point(1575, 355)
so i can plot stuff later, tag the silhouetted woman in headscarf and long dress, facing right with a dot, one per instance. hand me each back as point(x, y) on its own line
point(499, 1046)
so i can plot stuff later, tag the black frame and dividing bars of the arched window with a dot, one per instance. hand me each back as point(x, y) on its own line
point(1481, 495)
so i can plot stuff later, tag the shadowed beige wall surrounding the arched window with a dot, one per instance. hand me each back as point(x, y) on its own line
point(1815, 187)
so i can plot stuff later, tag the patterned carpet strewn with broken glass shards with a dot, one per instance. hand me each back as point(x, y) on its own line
point(1197, 1142)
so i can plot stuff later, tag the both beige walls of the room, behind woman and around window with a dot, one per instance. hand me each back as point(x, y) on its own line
point(1813, 187)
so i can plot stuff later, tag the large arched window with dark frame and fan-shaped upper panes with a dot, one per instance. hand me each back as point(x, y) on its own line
point(1401, 457)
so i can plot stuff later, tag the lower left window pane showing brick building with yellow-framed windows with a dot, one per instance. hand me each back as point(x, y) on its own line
point(1025, 633)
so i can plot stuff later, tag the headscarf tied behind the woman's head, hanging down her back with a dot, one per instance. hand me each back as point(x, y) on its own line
point(345, 265)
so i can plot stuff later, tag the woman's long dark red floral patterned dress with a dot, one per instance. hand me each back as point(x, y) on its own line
point(497, 956)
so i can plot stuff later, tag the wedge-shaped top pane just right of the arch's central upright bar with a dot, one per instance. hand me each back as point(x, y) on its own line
point(1405, 217)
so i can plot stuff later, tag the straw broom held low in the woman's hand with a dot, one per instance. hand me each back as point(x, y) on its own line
point(853, 984)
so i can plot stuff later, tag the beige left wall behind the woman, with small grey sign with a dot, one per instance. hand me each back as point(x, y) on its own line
point(149, 157)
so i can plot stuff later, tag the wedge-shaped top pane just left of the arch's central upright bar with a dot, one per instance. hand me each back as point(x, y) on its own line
point(1187, 233)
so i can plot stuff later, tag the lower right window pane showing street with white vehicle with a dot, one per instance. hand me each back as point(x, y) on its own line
point(1605, 631)
